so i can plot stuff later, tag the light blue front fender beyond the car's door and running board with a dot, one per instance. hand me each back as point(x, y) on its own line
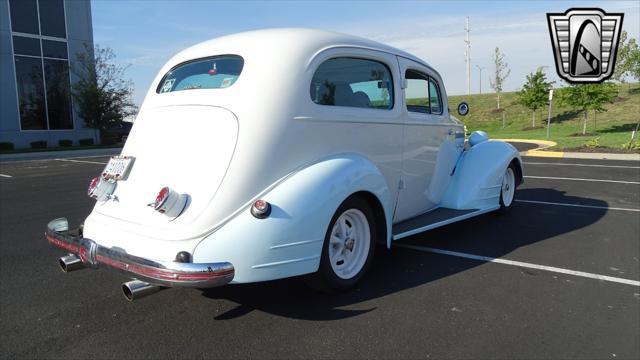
point(478, 176)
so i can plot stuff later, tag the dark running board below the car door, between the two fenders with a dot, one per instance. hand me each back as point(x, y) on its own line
point(434, 219)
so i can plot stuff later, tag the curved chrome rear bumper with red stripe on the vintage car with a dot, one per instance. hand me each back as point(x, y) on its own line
point(161, 273)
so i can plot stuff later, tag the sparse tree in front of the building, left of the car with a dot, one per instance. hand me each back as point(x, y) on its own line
point(101, 94)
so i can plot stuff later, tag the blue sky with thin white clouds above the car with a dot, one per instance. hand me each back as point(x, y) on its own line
point(147, 33)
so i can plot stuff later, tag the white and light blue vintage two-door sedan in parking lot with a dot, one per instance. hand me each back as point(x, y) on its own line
point(277, 153)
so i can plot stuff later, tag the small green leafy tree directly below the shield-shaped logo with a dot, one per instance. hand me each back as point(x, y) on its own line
point(587, 97)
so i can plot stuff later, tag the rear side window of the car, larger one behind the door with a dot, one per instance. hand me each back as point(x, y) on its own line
point(353, 82)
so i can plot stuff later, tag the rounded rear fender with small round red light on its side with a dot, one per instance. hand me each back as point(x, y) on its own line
point(289, 241)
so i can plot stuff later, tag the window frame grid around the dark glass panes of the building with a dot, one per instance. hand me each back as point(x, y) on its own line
point(42, 58)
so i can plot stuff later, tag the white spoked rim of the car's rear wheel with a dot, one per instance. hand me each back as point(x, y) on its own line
point(349, 244)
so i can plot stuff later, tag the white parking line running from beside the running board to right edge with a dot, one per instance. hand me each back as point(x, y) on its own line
point(521, 264)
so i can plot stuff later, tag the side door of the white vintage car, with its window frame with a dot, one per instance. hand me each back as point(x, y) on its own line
point(430, 150)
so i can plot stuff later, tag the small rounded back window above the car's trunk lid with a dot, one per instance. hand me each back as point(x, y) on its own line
point(215, 72)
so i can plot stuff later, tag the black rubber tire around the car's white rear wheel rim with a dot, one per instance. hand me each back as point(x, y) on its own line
point(325, 279)
